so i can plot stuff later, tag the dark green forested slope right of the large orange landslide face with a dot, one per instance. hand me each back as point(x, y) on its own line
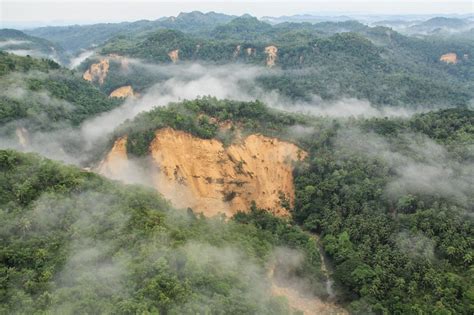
point(405, 249)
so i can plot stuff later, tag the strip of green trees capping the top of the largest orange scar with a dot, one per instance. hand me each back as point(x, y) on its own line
point(202, 118)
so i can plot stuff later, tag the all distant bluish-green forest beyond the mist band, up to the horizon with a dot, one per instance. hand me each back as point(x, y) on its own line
point(340, 59)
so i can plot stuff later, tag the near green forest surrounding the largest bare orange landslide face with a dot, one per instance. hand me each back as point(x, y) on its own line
point(390, 198)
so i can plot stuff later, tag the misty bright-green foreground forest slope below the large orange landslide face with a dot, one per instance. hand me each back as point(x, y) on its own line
point(75, 242)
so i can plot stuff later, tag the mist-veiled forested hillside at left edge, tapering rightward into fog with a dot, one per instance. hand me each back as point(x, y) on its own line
point(41, 95)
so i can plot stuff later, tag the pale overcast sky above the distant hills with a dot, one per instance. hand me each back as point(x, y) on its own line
point(73, 11)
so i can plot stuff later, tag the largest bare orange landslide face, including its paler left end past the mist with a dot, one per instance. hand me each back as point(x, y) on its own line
point(206, 176)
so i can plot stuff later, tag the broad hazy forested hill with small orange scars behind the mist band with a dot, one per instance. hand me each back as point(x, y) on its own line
point(376, 64)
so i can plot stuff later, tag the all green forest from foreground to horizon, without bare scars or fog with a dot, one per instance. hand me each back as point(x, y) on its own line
point(390, 198)
